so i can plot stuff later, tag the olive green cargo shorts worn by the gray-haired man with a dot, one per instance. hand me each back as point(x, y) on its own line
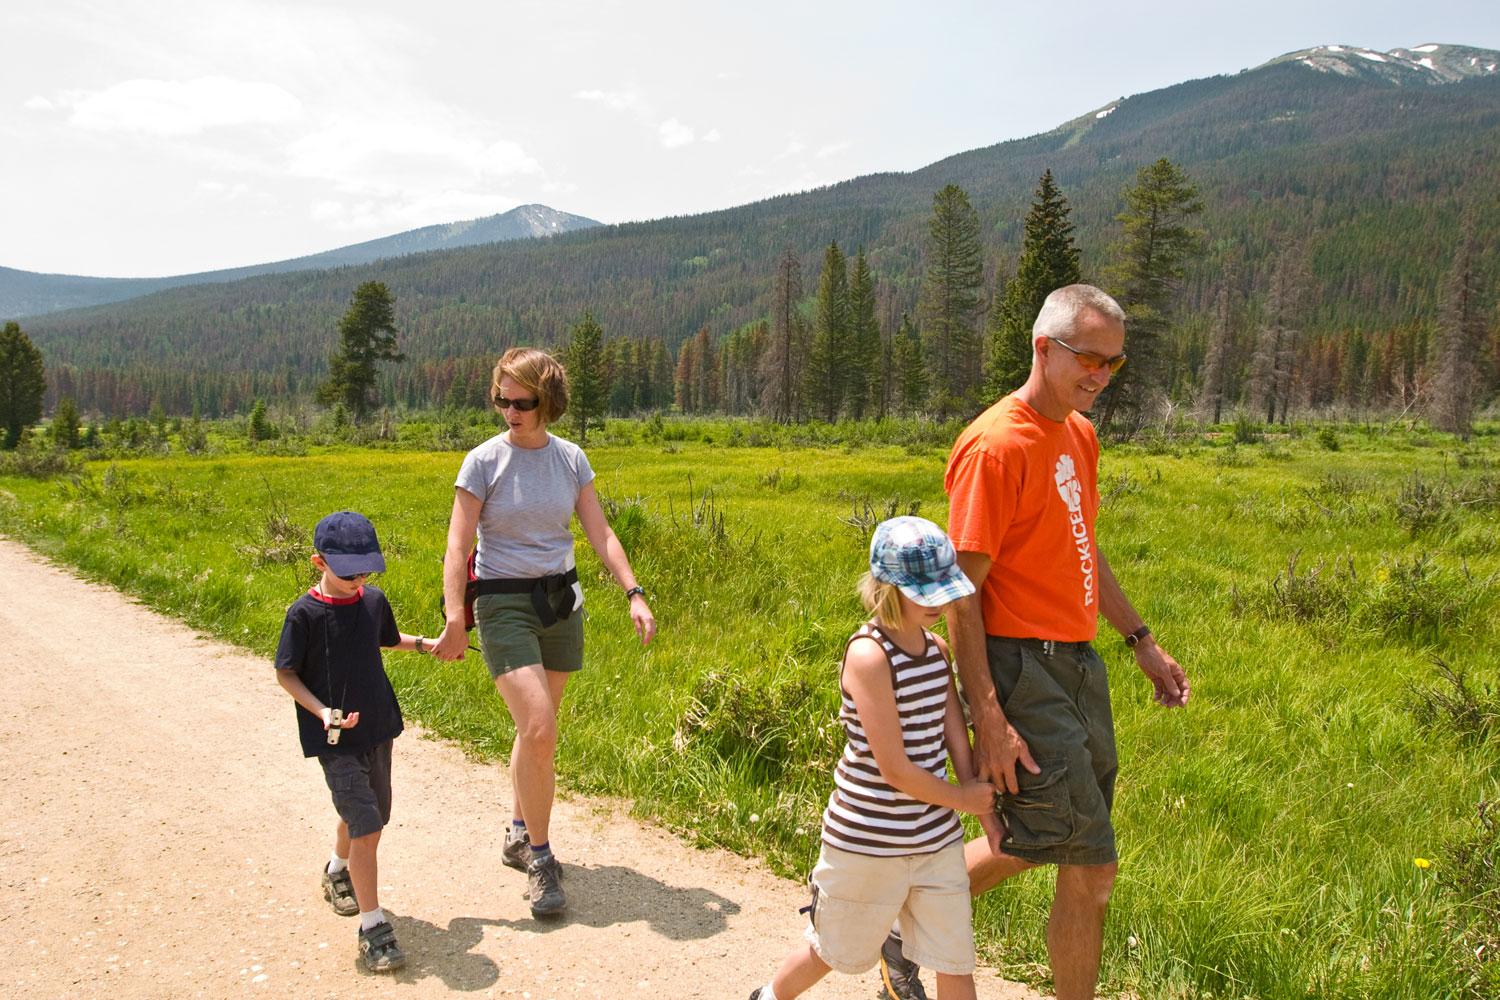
point(1058, 699)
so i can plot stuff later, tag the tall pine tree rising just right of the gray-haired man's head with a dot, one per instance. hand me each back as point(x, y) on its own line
point(1156, 247)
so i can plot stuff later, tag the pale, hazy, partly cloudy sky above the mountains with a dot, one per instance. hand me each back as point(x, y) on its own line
point(160, 137)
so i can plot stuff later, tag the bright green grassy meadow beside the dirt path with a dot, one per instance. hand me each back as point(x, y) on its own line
point(1333, 596)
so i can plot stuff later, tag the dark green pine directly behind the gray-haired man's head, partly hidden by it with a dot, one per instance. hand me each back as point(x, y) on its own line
point(1049, 262)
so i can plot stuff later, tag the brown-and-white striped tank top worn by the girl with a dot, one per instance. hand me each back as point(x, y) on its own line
point(866, 815)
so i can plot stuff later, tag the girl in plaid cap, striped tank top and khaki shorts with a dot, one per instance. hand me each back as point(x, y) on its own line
point(893, 848)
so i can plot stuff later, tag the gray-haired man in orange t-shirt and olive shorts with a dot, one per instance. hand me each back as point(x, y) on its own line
point(1024, 494)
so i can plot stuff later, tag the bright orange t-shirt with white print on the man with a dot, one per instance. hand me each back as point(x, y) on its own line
point(1024, 491)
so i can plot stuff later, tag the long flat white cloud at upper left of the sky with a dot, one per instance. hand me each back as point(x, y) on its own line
point(172, 107)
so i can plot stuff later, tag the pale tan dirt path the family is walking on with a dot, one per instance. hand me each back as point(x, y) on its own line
point(161, 837)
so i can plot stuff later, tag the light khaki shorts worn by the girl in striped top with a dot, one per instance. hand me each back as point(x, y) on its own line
point(859, 897)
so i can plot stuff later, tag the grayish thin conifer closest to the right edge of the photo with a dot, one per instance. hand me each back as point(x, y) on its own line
point(1460, 343)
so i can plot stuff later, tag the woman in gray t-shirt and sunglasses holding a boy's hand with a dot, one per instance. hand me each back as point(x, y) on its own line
point(520, 491)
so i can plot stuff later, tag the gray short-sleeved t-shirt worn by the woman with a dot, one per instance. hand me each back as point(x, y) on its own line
point(529, 497)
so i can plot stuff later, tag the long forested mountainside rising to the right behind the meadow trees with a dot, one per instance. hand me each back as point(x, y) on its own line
point(1366, 175)
